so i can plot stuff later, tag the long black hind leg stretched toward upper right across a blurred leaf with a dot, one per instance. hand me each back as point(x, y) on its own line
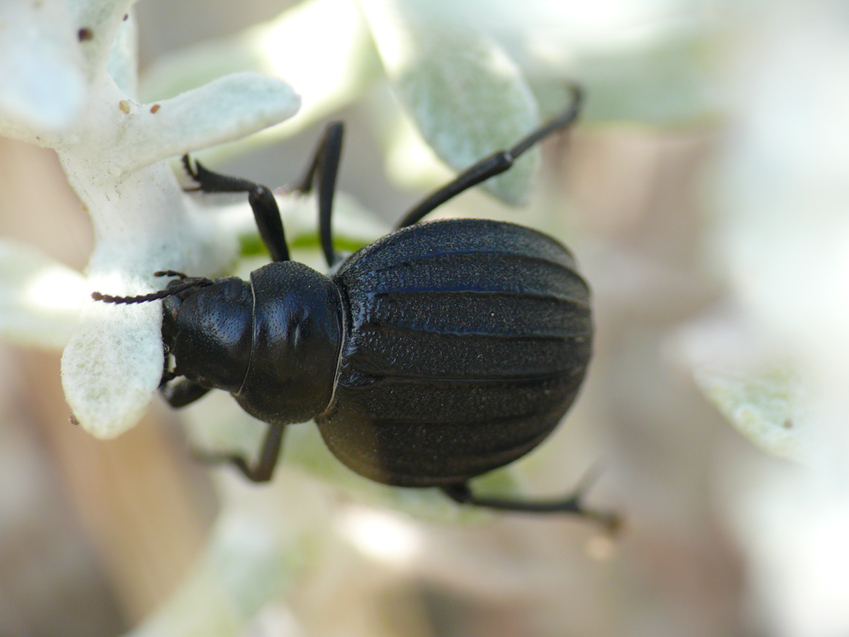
point(495, 164)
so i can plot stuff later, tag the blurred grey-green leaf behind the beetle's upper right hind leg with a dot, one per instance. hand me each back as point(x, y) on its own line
point(466, 96)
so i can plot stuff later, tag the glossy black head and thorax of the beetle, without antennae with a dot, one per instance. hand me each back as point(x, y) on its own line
point(273, 342)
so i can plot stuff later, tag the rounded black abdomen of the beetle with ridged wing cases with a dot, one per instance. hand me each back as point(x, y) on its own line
point(468, 342)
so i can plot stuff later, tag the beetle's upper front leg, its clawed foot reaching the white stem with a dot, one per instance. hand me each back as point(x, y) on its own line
point(263, 204)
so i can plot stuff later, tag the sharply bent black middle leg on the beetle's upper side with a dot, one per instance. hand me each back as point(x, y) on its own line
point(323, 170)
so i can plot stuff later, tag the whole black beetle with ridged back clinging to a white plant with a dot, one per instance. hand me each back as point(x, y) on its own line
point(441, 351)
